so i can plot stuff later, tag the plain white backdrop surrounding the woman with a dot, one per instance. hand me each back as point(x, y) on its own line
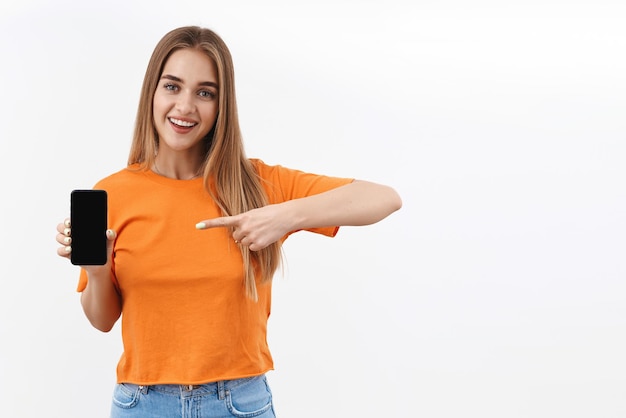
point(497, 291)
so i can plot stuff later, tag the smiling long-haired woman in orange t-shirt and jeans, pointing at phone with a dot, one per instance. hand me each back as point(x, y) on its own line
point(195, 234)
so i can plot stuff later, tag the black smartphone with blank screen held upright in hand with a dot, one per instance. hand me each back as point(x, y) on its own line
point(88, 217)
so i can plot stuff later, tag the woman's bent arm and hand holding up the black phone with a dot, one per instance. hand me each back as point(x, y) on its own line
point(100, 300)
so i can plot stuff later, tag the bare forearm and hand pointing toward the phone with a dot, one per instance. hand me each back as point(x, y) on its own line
point(354, 204)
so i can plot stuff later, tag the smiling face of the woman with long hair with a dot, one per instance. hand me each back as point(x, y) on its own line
point(185, 103)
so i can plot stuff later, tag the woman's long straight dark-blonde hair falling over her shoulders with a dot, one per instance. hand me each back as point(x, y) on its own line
point(229, 177)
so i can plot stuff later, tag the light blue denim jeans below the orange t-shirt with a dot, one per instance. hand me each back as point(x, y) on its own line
point(248, 397)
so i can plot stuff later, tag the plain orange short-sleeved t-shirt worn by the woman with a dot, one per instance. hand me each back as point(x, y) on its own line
point(185, 316)
